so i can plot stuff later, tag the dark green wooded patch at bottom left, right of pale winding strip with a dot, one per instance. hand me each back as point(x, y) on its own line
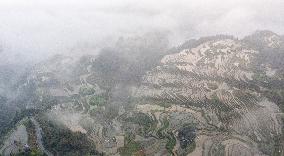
point(61, 141)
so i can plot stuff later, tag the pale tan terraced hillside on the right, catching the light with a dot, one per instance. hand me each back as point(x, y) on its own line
point(226, 80)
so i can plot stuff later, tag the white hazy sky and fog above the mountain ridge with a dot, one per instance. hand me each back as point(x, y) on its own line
point(38, 28)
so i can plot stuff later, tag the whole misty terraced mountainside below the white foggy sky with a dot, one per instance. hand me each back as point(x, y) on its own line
point(213, 96)
